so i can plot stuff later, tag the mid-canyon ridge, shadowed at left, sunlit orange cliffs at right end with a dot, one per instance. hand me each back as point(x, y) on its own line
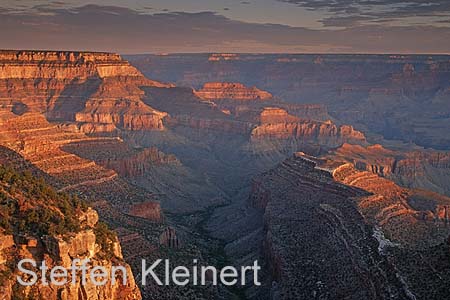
point(255, 120)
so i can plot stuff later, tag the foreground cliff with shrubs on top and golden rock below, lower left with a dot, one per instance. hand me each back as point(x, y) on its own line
point(56, 228)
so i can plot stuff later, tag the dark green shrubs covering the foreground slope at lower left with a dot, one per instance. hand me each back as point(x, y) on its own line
point(29, 205)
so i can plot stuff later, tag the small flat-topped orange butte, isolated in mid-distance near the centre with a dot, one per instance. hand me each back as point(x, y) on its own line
point(228, 90)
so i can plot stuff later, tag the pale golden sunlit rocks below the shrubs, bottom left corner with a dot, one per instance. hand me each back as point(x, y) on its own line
point(81, 242)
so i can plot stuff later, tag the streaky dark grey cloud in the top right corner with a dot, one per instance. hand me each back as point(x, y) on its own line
point(343, 12)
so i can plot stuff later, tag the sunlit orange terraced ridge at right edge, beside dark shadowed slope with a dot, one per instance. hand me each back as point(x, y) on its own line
point(395, 208)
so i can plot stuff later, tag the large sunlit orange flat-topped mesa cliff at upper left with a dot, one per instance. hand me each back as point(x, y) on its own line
point(99, 91)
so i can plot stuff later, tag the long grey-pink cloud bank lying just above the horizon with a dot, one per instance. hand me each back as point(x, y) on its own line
point(123, 30)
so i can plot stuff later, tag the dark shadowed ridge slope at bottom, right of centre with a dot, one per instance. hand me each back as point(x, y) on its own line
point(308, 218)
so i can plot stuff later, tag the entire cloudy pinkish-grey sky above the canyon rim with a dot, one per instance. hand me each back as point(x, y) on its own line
point(242, 26)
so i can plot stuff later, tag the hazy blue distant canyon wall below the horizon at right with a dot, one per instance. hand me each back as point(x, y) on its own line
point(401, 97)
